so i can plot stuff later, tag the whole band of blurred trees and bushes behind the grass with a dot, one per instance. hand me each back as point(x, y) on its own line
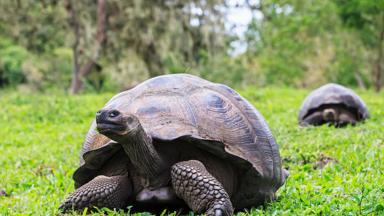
point(100, 45)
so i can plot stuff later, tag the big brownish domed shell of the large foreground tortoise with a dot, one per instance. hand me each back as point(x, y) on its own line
point(211, 116)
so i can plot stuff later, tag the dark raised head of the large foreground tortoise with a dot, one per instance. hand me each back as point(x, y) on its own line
point(115, 124)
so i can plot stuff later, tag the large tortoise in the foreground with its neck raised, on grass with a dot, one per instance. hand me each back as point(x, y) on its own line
point(178, 138)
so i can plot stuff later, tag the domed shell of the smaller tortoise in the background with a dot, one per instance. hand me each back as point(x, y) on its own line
point(330, 94)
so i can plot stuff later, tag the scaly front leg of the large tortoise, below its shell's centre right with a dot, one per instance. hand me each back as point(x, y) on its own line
point(199, 189)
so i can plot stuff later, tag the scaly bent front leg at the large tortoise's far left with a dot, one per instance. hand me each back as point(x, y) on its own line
point(102, 191)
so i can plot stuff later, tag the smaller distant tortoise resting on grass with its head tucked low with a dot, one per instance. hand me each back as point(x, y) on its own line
point(333, 104)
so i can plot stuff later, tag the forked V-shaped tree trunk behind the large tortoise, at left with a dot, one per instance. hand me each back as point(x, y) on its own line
point(79, 73)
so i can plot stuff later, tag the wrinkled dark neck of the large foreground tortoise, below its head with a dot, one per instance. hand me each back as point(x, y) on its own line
point(143, 154)
